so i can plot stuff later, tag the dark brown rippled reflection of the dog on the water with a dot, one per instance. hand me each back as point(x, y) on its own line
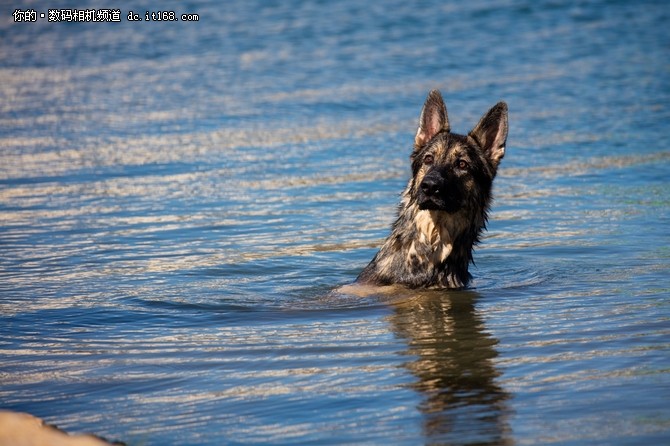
point(454, 367)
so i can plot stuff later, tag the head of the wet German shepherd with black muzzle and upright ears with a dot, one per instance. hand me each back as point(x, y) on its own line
point(453, 172)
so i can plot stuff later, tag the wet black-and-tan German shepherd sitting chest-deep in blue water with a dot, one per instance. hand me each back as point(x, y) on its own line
point(443, 210)
